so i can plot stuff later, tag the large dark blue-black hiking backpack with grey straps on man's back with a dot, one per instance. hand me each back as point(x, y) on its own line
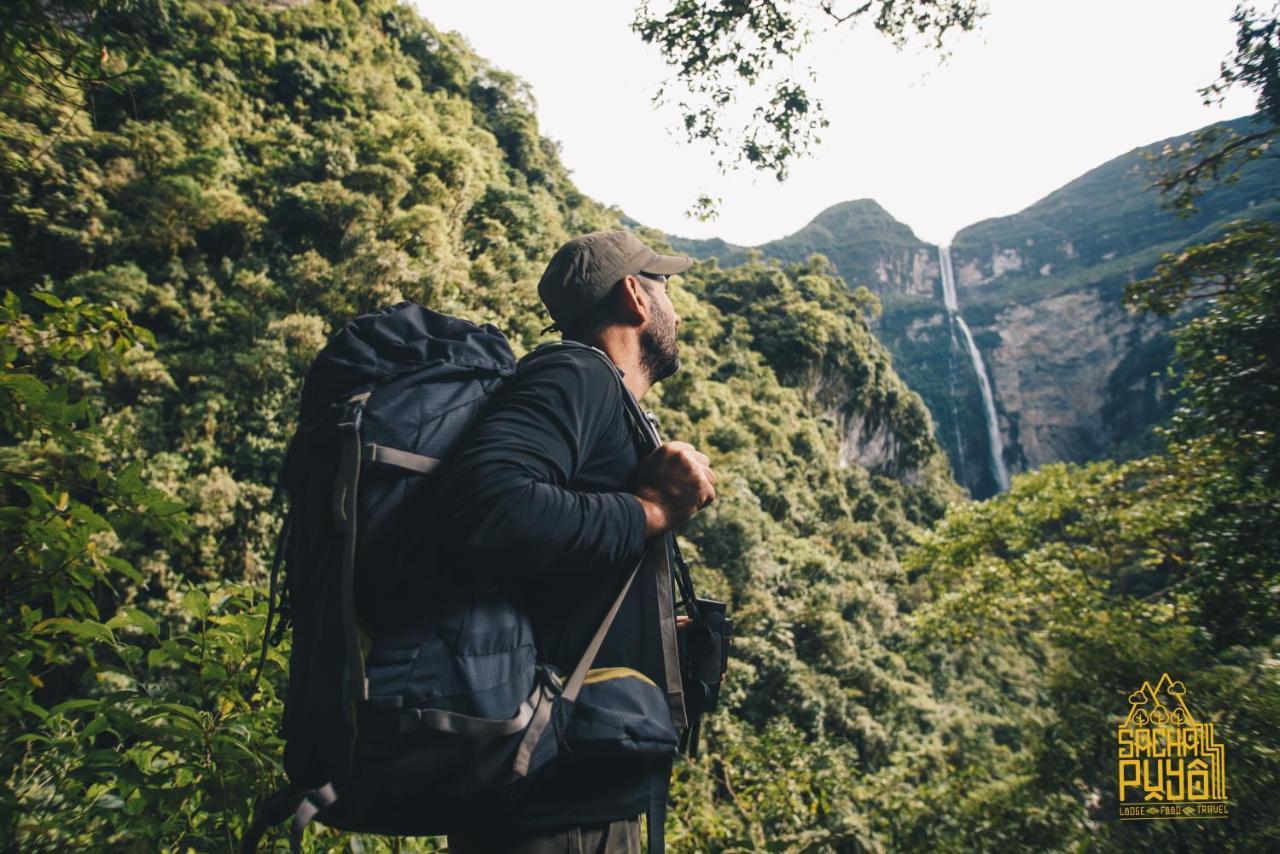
point(415, 695)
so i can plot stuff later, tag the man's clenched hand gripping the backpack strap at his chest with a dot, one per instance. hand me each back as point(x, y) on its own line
point(673, 485)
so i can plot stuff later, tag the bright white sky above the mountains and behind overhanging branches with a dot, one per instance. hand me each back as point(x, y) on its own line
point(1045, 92)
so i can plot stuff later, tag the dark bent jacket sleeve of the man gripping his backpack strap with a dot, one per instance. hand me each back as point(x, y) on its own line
point(505, 496)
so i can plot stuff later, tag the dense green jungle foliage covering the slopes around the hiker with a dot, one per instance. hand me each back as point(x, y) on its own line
point(204, 191)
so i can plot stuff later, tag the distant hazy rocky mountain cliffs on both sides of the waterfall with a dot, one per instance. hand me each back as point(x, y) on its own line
point(1076, 376)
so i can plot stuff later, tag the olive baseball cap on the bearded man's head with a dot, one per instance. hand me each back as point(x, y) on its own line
point(584, 272)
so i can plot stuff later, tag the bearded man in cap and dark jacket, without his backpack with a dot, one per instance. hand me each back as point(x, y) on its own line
point(550, 496)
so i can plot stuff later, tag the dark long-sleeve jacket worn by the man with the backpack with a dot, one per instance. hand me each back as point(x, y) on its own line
point(536, 499)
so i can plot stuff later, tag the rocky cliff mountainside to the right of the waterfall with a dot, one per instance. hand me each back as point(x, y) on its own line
point(1077, 376)
